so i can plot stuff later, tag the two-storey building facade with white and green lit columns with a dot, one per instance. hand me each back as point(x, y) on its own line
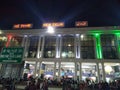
point(79, 53)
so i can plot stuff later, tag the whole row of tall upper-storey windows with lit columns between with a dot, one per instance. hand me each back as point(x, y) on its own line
point(67, 46)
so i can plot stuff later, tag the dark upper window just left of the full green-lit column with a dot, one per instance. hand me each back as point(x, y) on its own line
point(87, 47)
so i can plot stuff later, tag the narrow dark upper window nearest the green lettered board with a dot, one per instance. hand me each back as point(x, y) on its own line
point(33, 46)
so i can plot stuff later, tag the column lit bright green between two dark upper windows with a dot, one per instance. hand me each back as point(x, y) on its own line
point(98, 46)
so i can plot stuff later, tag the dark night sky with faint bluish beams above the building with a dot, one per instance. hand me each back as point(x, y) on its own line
point(96, 12)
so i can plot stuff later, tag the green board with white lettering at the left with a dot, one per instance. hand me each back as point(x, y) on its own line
point(12, 55)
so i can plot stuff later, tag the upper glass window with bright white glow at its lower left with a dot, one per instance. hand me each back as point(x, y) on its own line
point(68, 46)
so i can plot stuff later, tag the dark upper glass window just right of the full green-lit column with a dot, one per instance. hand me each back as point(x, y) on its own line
point(109, 46)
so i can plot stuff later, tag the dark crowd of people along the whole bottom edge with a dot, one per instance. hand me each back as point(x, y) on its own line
point(64, 83)
